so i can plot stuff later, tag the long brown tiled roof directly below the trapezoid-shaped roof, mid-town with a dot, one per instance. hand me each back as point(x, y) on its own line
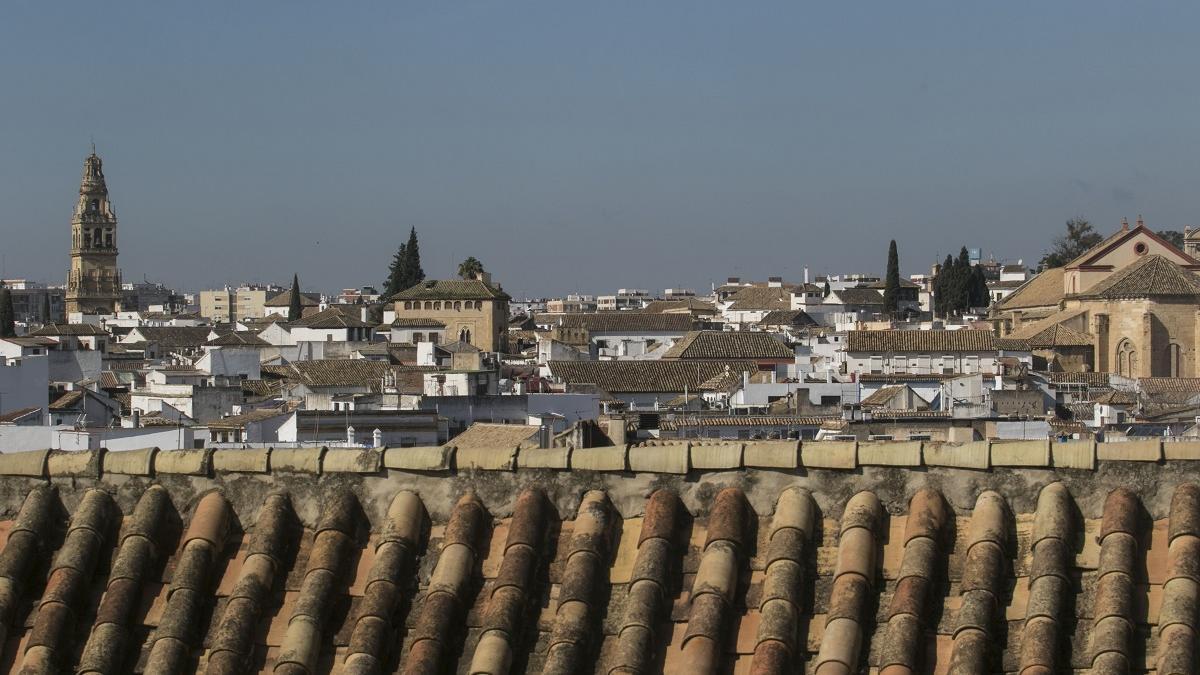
point(644, 377)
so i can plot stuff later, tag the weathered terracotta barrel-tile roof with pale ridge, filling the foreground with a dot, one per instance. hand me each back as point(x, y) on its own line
point(646, 559)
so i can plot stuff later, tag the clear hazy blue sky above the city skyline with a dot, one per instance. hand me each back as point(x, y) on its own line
point(590, 146)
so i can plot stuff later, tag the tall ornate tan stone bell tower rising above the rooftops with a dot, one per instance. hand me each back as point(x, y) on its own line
point(94, 285)
